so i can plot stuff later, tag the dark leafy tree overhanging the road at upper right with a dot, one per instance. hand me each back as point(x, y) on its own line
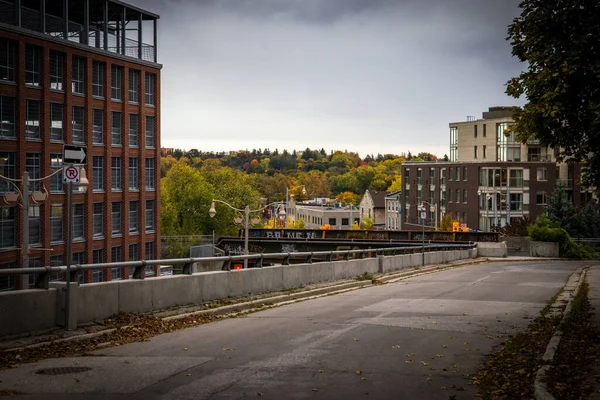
point(559, 41)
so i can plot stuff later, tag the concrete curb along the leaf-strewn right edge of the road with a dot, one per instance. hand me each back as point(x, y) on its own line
point(575, 280)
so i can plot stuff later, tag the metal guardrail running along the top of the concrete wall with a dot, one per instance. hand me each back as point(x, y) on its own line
point(42, 274)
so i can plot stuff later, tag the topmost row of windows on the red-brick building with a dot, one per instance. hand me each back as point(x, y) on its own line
point(33, 65)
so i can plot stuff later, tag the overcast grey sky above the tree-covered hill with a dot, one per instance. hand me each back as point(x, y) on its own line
point(370, 76)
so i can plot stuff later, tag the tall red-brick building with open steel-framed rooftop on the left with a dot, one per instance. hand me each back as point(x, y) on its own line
point(80, 73)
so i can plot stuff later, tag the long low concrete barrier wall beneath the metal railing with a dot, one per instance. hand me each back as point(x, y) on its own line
point(31, 310)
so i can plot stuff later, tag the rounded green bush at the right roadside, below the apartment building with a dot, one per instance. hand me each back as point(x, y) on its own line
point(545, 230)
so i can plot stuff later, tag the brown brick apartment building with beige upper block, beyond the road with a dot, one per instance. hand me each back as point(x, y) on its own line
point(490, 178)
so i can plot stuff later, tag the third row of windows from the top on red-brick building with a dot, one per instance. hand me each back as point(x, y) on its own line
point(33, 167)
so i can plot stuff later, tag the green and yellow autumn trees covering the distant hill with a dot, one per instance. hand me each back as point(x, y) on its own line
point(190, 180)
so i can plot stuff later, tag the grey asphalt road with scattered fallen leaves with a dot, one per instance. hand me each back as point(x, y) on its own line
point(414, 339)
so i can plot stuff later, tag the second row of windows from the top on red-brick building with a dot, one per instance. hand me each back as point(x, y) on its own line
point(57, 116)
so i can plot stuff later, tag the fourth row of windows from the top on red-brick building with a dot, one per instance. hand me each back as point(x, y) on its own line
point(56, 219)
